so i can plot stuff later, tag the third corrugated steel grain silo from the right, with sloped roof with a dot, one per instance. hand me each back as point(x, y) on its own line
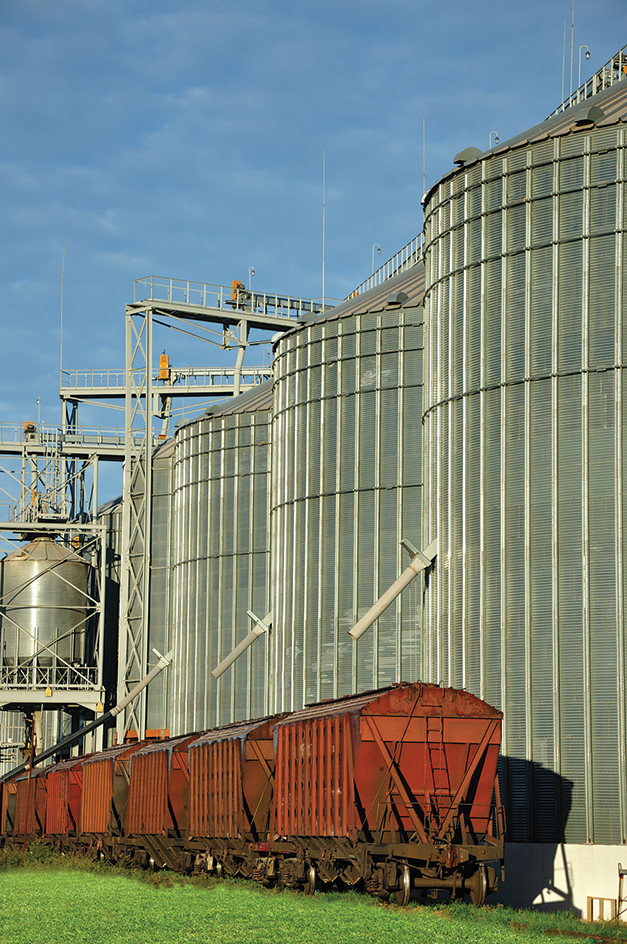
point(219, 564)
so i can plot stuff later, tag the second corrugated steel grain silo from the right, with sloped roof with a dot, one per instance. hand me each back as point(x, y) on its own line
point(346, 487)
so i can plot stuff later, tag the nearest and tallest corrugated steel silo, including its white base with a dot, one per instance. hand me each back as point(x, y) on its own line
point(524, 457)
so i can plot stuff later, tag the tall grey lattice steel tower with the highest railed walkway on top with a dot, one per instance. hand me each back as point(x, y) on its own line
point(192, 307)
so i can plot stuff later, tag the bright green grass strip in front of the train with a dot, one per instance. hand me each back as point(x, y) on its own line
point(48, 904)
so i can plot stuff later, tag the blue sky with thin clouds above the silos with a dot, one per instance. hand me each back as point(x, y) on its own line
point(185, 139)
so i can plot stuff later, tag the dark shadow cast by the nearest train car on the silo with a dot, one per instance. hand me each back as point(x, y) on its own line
point(537, 805)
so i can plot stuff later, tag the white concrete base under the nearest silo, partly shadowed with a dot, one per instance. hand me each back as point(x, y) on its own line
point(554, 877)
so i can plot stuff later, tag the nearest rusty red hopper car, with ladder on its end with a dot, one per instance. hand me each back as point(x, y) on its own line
point(396, 789)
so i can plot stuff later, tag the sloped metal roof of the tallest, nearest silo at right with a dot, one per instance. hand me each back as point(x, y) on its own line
point(612, 102)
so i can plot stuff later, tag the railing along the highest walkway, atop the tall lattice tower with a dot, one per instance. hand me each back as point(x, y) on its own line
point(154, 288)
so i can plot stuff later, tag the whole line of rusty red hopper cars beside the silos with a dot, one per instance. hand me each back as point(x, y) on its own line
point(391, 791)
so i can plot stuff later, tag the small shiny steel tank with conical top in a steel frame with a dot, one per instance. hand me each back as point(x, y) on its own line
point(43, 601)
